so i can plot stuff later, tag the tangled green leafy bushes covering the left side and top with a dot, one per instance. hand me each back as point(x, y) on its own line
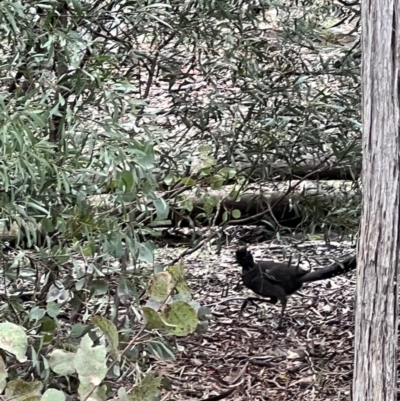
point(110, 113)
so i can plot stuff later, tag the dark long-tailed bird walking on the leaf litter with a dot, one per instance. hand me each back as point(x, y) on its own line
point(278, 280)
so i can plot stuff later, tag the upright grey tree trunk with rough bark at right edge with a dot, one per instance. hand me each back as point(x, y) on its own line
point(375, 376)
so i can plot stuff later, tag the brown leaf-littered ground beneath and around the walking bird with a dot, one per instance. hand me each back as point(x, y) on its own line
point(310, 359)
